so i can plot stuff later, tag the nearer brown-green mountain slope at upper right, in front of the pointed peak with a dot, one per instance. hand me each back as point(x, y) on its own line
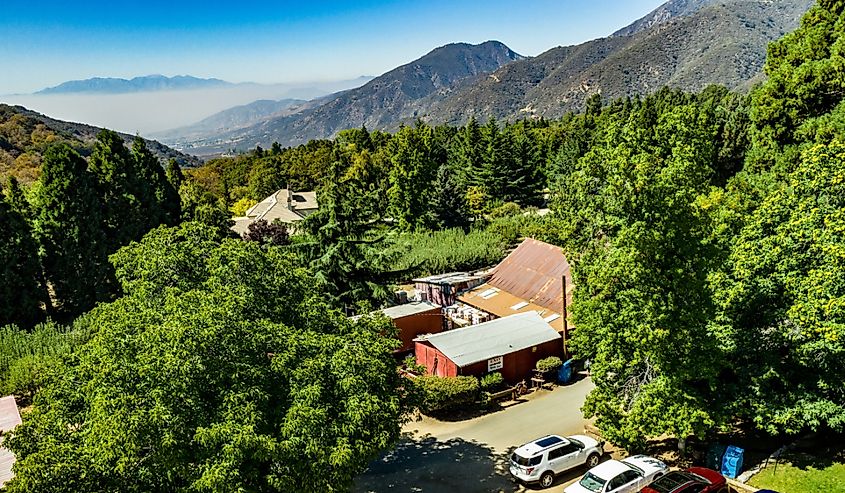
point(723, 42)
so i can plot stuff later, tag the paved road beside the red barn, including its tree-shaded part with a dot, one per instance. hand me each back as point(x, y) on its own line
point(471, 456)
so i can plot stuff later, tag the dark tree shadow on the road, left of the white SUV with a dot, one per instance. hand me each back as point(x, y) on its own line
point(430, 466)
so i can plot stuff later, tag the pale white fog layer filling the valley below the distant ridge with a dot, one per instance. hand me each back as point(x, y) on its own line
point(149, 112)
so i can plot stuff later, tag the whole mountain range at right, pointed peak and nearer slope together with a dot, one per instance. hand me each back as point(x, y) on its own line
point(687, 44)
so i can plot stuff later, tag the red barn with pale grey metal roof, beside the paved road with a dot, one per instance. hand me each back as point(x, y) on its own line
point(511, 345)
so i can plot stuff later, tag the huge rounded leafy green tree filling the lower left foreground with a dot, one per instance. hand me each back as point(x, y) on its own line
point(236, 378)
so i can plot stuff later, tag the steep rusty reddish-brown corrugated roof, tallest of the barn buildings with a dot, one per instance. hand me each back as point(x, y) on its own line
point(535, 272)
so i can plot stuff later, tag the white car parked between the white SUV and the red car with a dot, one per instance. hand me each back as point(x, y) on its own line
point(626, 476)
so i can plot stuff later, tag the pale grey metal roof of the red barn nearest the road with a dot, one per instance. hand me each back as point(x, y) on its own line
point(499, 337)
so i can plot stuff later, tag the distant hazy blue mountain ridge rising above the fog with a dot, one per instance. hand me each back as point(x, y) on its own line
point(147, 83)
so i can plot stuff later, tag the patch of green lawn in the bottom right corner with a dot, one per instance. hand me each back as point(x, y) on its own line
point(802, 473)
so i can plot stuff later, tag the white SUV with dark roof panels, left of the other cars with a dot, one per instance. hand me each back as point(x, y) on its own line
point(539, 461)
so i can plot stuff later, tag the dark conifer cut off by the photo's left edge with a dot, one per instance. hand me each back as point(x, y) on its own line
point(21, 290)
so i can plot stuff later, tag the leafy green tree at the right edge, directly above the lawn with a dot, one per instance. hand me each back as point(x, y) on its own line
point(782, 298)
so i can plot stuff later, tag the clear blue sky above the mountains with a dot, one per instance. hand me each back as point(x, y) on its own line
point(47, 42)
